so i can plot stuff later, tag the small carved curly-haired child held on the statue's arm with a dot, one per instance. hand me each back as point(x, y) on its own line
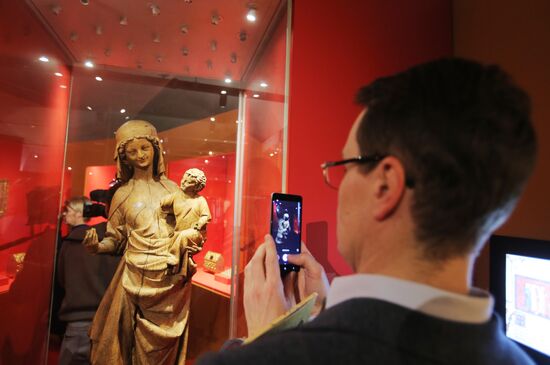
point(192, 215)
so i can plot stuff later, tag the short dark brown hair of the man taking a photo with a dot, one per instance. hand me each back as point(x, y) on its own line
point(464, 135)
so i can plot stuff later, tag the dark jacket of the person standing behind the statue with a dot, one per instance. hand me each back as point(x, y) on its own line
point(84, 277)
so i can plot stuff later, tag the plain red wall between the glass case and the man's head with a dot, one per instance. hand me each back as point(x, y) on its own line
point(336, 48)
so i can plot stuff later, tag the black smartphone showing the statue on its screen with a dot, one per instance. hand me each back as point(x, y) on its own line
point(286, 228)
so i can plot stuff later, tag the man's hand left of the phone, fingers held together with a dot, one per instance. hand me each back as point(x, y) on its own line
point(264, 297)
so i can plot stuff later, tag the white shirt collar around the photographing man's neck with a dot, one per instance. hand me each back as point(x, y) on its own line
point(476, 307)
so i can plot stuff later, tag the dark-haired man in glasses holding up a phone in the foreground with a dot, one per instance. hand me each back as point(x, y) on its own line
point(434, 164)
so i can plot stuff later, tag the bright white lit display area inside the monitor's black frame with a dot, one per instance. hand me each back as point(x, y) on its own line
point(528, 301)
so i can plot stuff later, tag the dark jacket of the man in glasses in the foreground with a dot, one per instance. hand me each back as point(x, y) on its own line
point(370, 331)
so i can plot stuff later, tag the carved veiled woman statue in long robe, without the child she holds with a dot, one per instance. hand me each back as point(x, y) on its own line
point(143, 317)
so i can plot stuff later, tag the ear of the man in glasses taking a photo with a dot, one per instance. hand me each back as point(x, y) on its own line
point(389, 186)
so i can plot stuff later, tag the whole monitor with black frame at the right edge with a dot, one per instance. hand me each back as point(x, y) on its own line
point(520, 284)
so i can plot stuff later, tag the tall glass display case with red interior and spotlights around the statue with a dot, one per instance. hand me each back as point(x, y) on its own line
point(209, 77)
